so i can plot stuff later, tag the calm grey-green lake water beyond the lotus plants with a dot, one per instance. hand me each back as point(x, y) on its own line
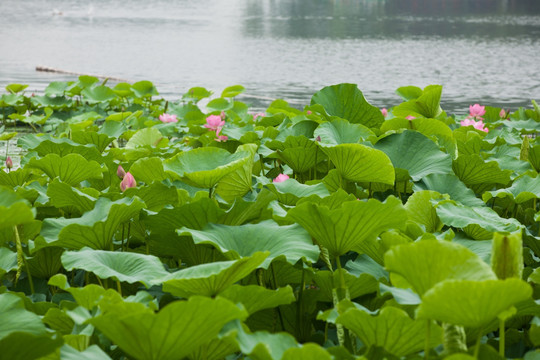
point(485, 51)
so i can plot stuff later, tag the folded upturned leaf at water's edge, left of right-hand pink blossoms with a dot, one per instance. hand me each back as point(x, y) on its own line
point(426, 105)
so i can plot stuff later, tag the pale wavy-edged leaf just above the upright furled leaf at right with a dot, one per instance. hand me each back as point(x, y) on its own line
point(461, 216)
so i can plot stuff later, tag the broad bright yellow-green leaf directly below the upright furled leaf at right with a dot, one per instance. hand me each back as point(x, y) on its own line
point(472, 303)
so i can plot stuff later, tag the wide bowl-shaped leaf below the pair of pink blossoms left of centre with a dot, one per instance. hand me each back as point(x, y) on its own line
point(205, 167)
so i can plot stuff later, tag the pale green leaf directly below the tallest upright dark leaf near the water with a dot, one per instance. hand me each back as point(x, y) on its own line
point(340, 131)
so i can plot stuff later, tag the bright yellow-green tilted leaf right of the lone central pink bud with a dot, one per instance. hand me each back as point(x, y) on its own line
point(360, 163)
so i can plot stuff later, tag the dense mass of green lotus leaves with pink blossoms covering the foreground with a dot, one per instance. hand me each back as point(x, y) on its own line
point(132, 227)
